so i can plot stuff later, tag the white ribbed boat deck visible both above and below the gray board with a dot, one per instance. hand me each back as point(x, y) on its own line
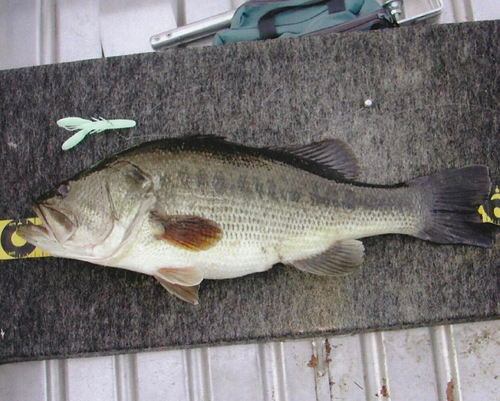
point(456, 362)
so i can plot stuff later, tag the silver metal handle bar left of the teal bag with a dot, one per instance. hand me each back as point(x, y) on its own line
point(191, 32)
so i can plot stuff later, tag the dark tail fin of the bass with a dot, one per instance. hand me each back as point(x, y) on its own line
point(454, 197)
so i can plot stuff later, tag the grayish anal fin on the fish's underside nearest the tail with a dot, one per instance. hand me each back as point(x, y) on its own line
point(342, 258)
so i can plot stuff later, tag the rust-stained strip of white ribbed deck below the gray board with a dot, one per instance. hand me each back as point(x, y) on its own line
point(457, 363)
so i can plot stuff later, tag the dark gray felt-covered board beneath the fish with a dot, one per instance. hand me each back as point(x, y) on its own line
point(436, 106)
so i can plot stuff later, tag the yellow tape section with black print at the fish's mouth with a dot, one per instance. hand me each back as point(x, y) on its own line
point(12, 246)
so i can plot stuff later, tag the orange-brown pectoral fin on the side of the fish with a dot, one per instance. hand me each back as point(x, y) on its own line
point(193, 233)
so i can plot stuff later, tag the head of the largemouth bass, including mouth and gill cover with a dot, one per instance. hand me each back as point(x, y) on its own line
point(88, 217)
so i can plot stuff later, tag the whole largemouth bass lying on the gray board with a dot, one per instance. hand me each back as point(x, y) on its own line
point(184, 210)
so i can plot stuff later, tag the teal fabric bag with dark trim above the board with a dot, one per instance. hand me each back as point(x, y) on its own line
point(271, 19)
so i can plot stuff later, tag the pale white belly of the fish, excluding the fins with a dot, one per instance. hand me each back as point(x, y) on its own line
point(251, 250)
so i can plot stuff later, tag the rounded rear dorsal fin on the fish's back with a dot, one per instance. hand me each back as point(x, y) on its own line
point(335, 156)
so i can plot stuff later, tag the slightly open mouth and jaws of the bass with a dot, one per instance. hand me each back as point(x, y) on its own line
point(57, 226)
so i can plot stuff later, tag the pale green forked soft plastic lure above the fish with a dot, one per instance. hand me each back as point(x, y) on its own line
point(87, 127)
